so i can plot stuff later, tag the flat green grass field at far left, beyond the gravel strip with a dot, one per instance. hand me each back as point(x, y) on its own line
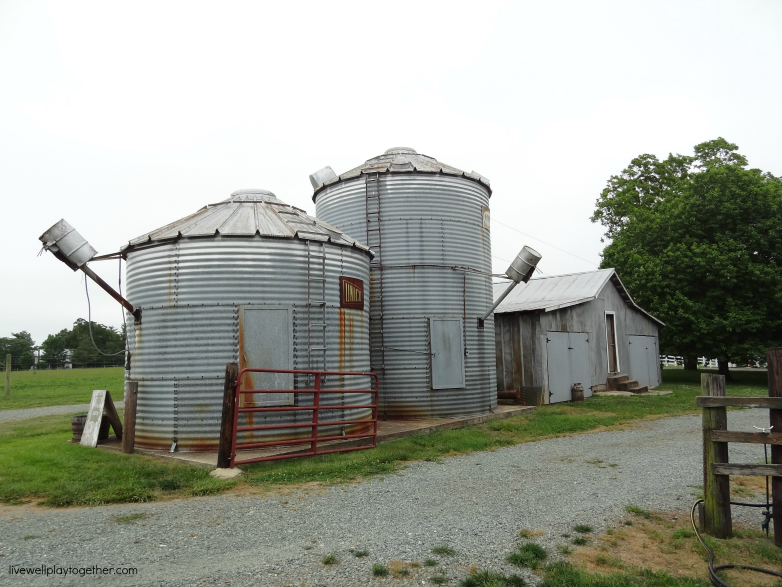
point(63, 387)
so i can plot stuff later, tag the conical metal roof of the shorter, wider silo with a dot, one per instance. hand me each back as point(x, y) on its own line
point(251, 212)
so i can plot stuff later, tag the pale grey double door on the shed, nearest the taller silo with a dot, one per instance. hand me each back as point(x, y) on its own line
point(567, 362)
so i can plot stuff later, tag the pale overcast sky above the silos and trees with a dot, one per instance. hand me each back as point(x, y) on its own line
point(124, 116)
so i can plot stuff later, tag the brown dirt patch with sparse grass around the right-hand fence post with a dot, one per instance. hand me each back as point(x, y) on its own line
point(668, 543)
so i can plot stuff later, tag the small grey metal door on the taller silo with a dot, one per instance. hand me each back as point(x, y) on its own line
point(447, 349)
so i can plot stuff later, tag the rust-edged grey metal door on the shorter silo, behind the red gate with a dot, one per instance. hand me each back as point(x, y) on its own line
point(265, 342)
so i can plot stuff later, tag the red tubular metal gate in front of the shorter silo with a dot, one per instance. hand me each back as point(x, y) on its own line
point(316, 408)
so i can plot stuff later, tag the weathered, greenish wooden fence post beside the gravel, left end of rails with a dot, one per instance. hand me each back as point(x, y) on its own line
point(716, 488)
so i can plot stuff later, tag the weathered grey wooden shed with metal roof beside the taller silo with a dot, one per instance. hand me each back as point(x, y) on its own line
point(582, 328)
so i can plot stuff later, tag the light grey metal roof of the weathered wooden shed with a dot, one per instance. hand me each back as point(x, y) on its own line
point(560, 291)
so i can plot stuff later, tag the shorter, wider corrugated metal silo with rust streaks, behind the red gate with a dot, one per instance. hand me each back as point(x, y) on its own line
point(249, 280)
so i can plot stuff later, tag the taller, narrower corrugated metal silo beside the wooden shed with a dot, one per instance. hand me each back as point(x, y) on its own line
point(428, 225)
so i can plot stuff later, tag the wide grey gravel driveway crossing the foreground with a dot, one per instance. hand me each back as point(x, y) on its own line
point(475, 503)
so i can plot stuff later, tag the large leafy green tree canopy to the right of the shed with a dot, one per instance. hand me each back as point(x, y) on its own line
point(698, 242)
